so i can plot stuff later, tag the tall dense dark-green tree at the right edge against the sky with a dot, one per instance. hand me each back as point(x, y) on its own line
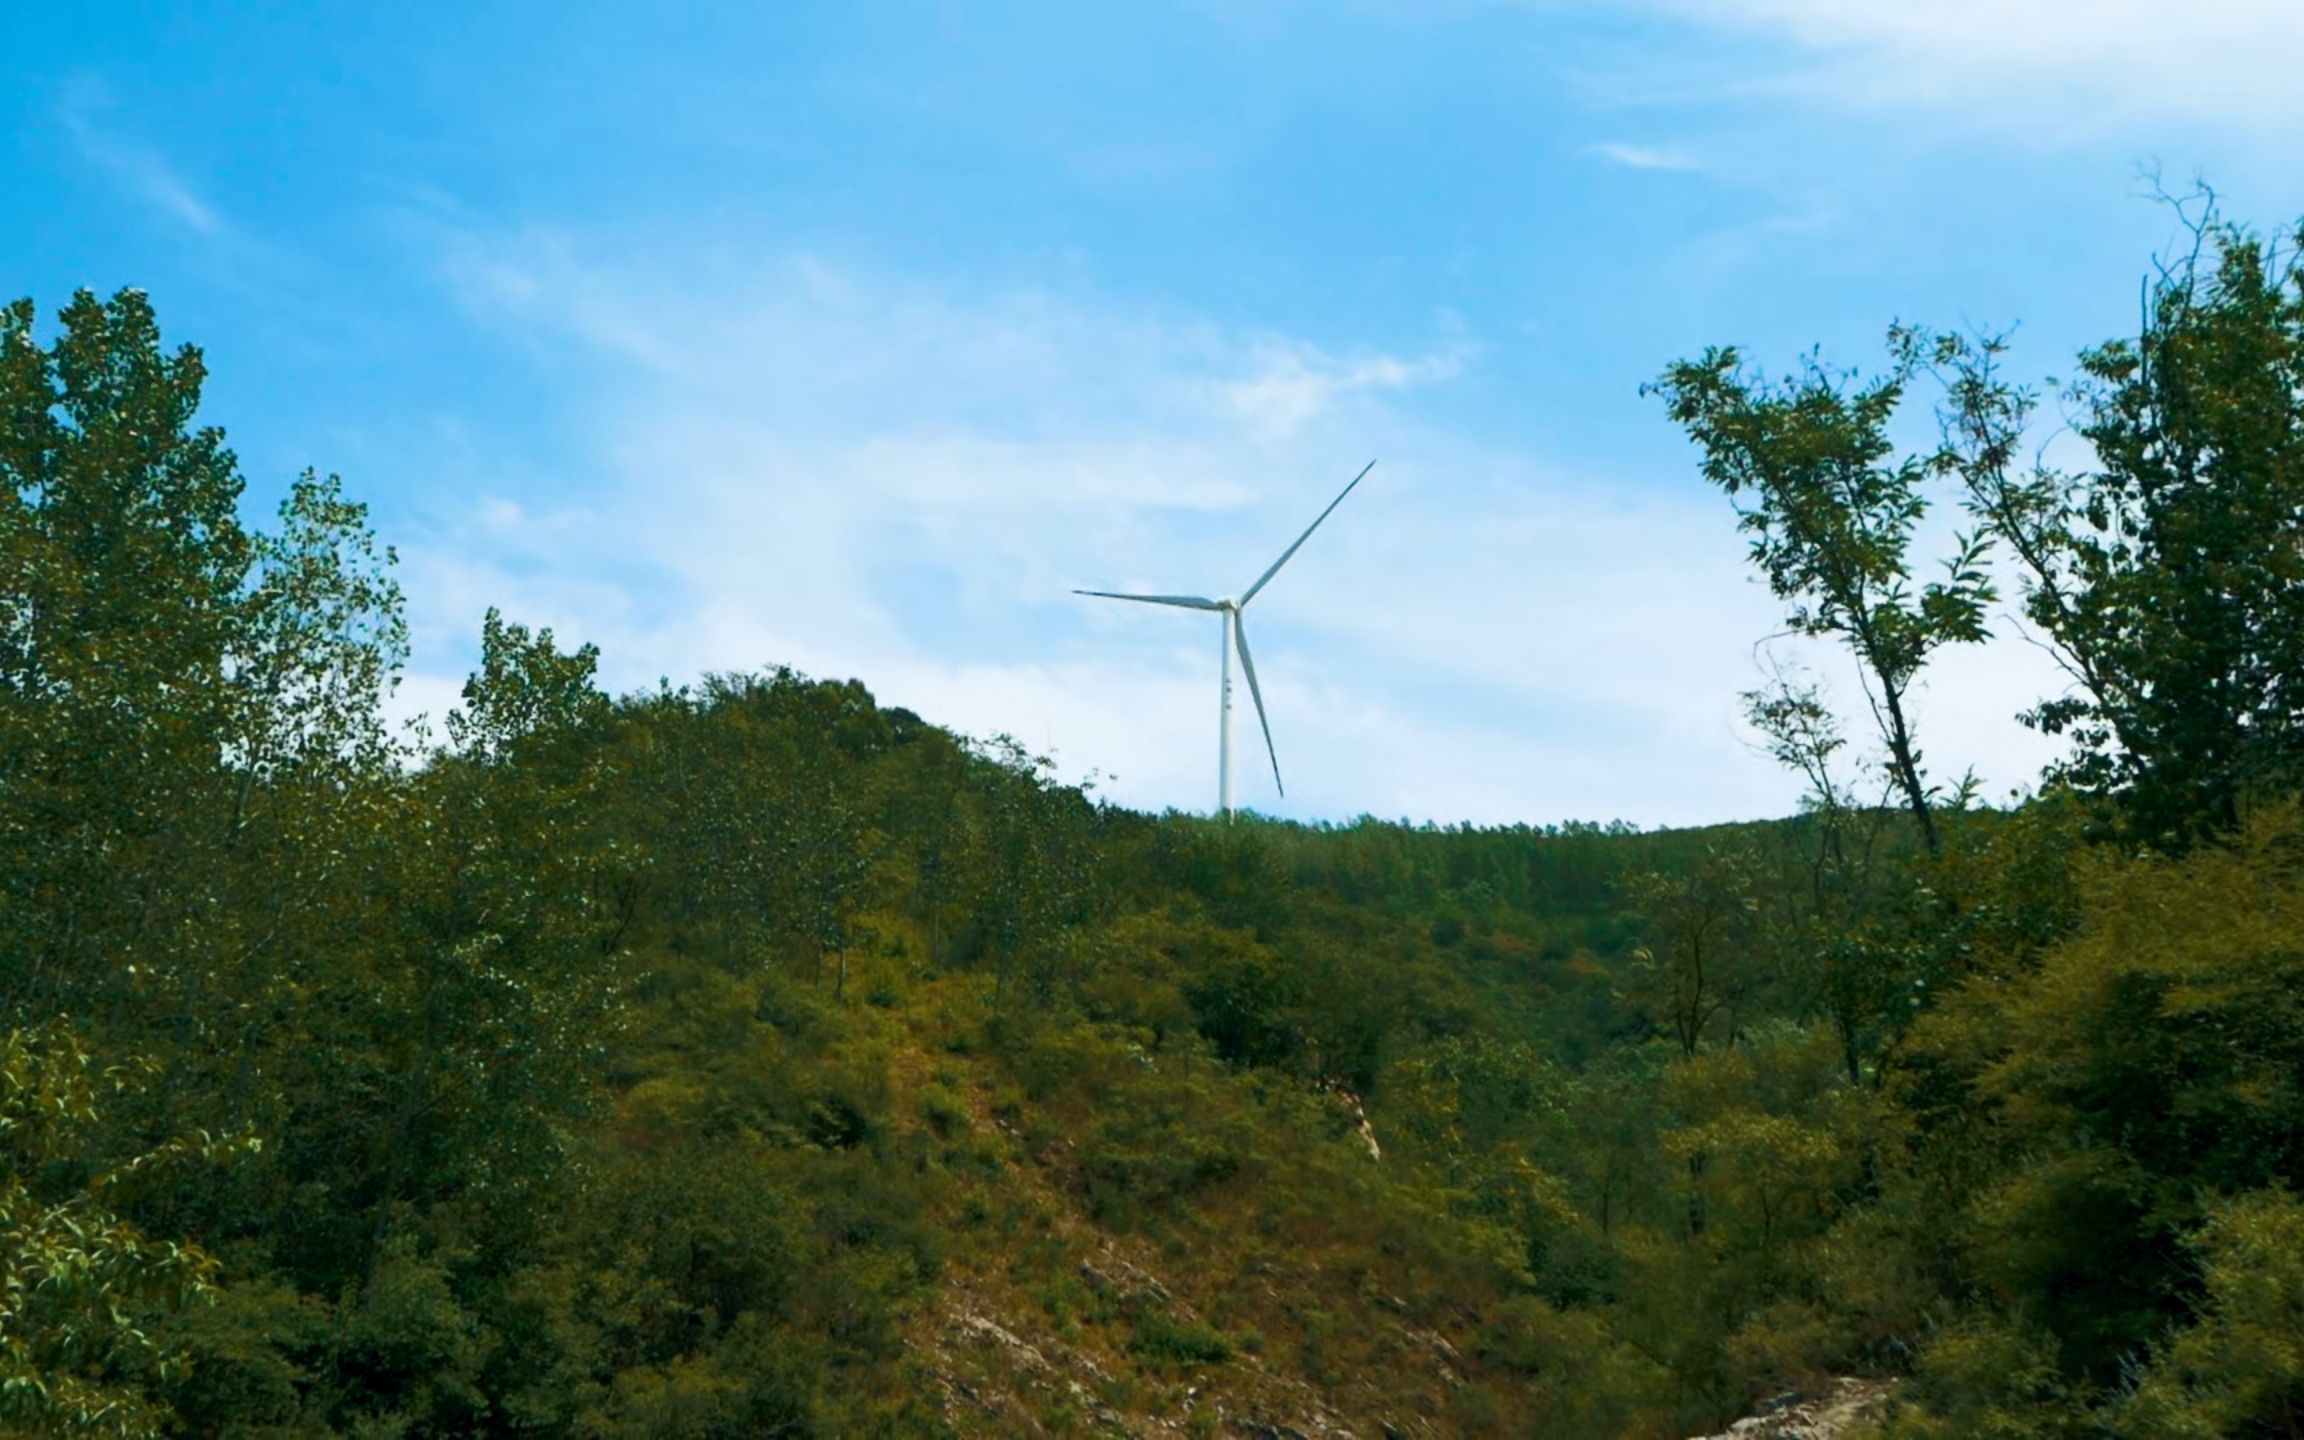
point(2169, 575)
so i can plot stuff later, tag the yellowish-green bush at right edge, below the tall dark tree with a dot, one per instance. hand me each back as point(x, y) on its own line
point(2146, 1066)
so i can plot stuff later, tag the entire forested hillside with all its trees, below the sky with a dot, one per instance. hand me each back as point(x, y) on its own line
point(750, 1059)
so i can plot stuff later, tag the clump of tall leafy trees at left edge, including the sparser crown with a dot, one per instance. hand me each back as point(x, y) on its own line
point(167, 676)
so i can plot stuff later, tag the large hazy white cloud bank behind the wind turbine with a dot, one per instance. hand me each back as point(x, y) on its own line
point(803, 467)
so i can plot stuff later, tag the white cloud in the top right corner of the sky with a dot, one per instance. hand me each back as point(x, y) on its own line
point(2063, 63)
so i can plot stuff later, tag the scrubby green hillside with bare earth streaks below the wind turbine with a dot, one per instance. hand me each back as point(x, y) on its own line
point(884, 1086)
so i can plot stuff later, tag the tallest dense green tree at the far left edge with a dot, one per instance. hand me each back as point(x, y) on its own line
point(119, 609)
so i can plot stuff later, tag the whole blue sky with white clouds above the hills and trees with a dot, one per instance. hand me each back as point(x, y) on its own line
point(856, 335)
